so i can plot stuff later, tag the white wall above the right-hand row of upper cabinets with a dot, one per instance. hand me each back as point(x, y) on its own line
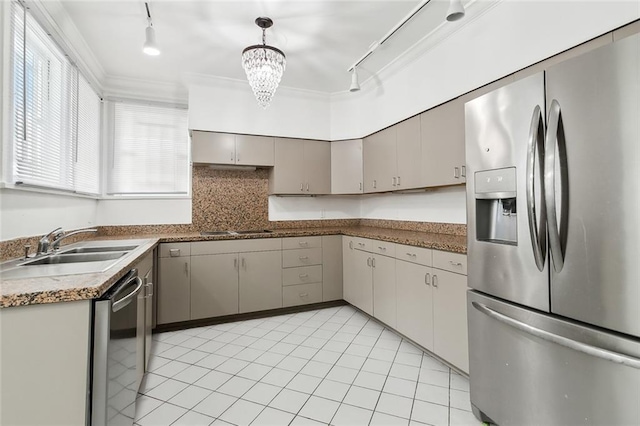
point(508, 37)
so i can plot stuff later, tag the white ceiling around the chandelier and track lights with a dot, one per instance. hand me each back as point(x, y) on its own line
point(321, 38)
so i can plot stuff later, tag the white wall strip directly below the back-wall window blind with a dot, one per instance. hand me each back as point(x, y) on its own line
point(144, 211)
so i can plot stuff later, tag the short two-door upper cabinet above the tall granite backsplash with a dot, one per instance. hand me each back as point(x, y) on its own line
point(227, 148)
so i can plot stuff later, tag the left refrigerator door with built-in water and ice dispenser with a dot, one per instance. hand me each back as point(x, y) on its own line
point(502, 130)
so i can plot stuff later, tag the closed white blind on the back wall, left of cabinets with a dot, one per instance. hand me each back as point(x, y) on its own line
point(150, 150)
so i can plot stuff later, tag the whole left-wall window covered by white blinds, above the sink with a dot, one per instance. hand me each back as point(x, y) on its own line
point(55, 113)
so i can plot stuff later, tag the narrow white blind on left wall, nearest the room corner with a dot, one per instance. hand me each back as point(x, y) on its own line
point(87, 146)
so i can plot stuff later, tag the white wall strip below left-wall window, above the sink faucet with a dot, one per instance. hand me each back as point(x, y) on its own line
point(26, 213)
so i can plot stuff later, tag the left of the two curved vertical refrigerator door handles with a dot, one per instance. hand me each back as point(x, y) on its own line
point(535, 151)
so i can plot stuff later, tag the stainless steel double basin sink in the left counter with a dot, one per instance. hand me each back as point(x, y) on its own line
point(79, 258)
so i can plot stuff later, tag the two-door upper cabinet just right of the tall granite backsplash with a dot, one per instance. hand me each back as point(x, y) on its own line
point(301, 167)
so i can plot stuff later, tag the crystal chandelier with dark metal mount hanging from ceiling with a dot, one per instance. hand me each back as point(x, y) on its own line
point(264, 66)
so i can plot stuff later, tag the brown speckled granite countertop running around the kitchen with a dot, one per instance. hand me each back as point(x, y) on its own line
point(64, 288)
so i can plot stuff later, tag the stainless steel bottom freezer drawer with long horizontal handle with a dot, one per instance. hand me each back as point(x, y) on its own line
point(529, 368)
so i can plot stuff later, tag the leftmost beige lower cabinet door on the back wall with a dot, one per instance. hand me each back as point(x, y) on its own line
point(174, 289)
